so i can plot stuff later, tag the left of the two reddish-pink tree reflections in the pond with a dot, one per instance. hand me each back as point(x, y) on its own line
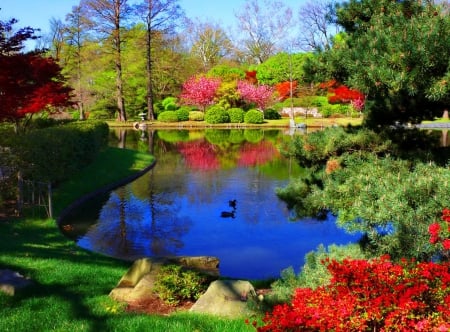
point(199, 155)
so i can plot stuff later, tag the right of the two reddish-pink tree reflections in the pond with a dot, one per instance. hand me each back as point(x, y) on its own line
point(257, 154)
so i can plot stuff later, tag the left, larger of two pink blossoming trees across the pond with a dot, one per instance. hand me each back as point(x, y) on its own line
point(200, 91)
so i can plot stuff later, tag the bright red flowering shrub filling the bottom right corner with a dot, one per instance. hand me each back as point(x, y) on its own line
point(375, 295)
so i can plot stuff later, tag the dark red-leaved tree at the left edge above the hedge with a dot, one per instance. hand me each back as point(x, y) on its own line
point(29, 83)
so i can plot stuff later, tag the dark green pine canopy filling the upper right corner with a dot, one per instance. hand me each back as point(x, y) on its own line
point(395, 52)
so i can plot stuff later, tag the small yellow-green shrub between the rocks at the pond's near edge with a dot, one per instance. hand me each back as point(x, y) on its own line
point(173, 284)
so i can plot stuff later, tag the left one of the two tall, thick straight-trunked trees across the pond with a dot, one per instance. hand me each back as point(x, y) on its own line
point(108, 18)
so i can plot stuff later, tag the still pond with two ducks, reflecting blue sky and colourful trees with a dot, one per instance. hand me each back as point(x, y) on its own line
point(211, 192)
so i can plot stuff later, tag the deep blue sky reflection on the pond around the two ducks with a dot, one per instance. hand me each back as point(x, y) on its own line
point(183, 217)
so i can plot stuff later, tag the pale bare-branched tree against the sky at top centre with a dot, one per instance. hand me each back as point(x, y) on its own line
point(266, 25)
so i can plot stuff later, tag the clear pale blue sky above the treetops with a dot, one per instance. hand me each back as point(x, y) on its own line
point(37, 13)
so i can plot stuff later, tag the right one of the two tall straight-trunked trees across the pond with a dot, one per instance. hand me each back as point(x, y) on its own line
point(162, 17)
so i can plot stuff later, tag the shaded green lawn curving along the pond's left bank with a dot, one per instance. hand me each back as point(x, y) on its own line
point(70, 285)
